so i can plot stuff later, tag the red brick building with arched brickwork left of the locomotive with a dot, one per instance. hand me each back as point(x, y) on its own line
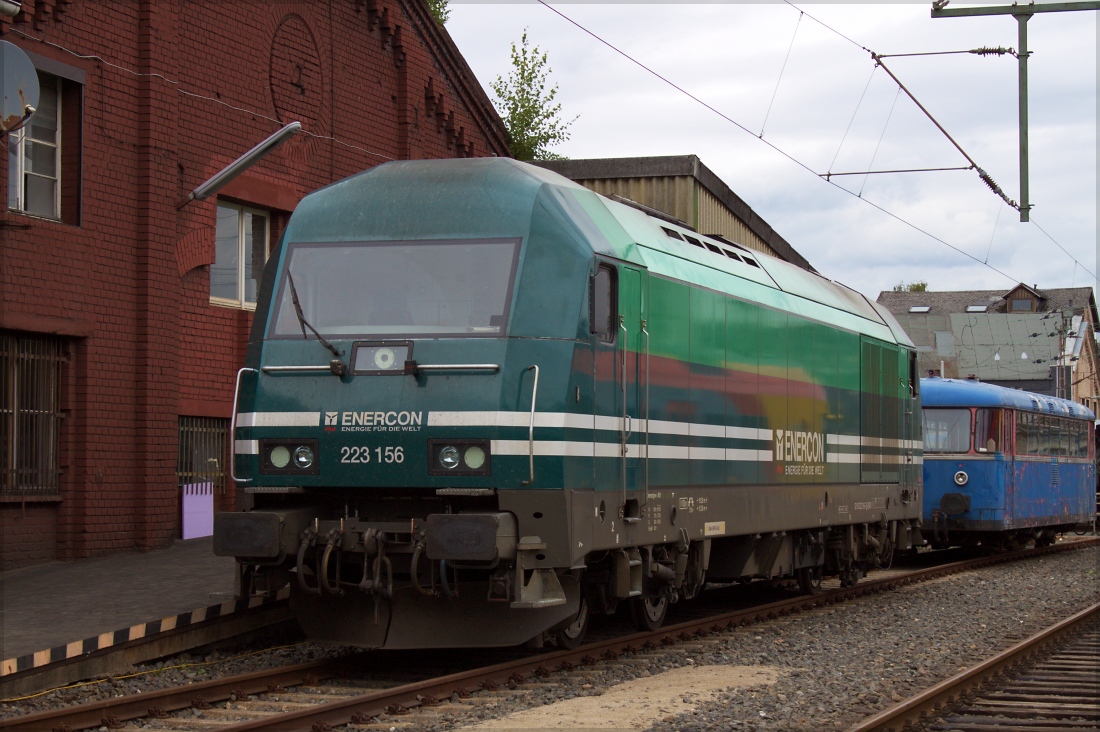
point(124, 315)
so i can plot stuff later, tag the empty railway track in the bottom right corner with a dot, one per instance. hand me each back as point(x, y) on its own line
point(1050, 682)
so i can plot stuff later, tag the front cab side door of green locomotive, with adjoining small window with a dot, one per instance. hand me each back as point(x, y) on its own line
point(619, 297)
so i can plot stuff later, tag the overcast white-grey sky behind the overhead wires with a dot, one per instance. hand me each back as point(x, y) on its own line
point(731, 57)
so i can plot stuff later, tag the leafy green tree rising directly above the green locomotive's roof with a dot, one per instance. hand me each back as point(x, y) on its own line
point(527, 105)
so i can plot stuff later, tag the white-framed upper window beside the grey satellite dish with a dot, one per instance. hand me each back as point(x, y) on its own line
point(35, 156)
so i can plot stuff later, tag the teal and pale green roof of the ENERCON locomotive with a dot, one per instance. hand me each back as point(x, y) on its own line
point(502, 199)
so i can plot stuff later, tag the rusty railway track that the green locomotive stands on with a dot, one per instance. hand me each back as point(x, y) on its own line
point(323, 695)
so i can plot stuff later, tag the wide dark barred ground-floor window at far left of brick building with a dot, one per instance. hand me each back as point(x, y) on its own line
point(30, 414)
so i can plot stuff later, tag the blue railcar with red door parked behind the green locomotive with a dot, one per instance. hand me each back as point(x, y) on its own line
point(1004, 467)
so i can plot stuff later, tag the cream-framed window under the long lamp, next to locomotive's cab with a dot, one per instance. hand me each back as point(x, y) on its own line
point(240, 255)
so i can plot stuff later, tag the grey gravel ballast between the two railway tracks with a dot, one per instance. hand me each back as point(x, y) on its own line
point(843, 663)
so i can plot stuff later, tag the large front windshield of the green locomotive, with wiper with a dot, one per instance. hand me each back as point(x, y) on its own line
point(404, 288)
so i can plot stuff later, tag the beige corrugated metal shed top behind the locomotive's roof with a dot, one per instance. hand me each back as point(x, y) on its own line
point(685, 189)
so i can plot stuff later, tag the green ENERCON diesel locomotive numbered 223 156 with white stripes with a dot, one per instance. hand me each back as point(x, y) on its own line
point(482, 403)
